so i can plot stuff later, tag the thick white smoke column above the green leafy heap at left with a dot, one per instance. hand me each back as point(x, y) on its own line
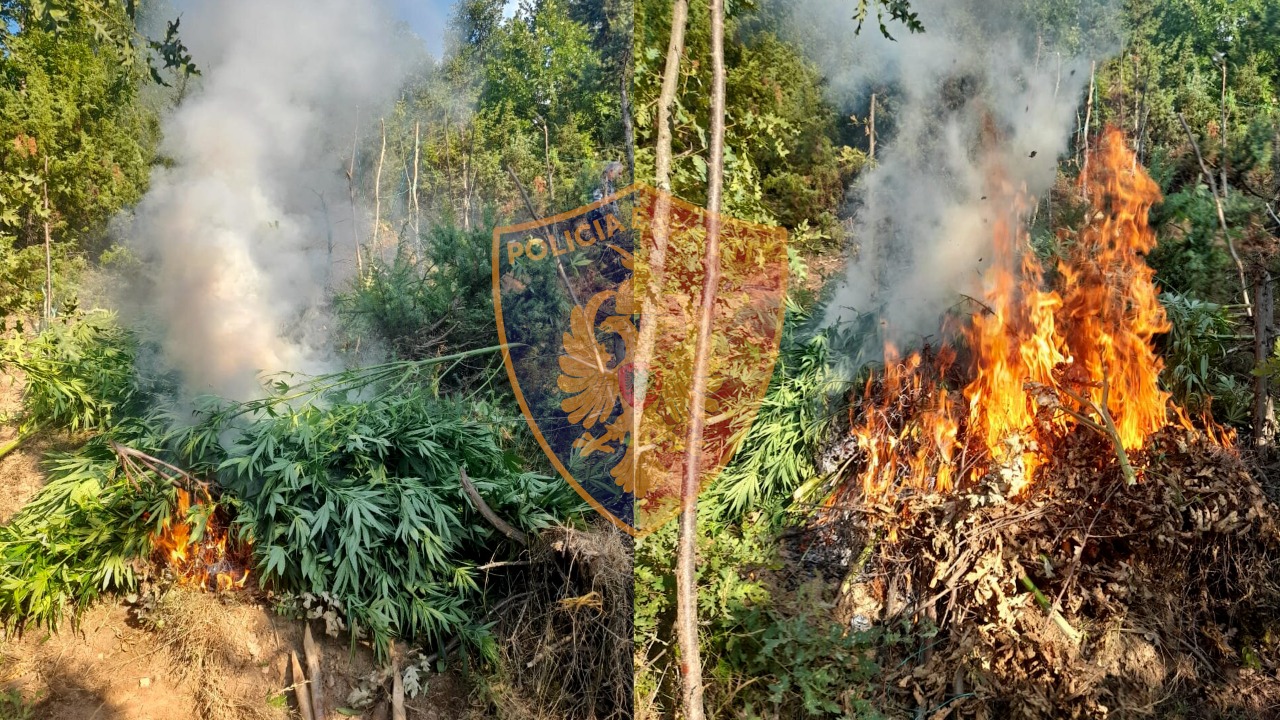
point(250, 221)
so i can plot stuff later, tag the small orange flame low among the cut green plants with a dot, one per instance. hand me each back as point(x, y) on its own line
point(205, 563)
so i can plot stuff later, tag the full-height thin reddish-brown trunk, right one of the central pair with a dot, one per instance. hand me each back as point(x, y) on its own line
point(687, 558)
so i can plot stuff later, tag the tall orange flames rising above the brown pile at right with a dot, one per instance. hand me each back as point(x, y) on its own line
point(1092, 329)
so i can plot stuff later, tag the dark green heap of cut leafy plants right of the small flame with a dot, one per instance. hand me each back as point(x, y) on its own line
point(363, 500)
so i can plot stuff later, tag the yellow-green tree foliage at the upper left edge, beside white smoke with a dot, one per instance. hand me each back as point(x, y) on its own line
point(72, 129)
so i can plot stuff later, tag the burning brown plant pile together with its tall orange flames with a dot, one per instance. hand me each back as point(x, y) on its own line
point(1067, 541)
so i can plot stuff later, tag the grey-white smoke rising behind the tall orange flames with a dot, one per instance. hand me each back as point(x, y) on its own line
point(980, 71)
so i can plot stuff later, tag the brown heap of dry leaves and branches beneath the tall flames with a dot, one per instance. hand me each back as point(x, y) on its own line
point(1085, 598)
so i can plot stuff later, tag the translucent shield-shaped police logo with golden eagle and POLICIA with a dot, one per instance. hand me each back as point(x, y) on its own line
point(597, 312)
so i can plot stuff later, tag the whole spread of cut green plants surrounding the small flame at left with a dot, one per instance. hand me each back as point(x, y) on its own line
point(346, 485)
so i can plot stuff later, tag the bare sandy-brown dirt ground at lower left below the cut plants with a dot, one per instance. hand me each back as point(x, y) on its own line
point(200, 657)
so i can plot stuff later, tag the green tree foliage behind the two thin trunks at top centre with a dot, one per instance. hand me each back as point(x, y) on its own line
point(783, 161)
